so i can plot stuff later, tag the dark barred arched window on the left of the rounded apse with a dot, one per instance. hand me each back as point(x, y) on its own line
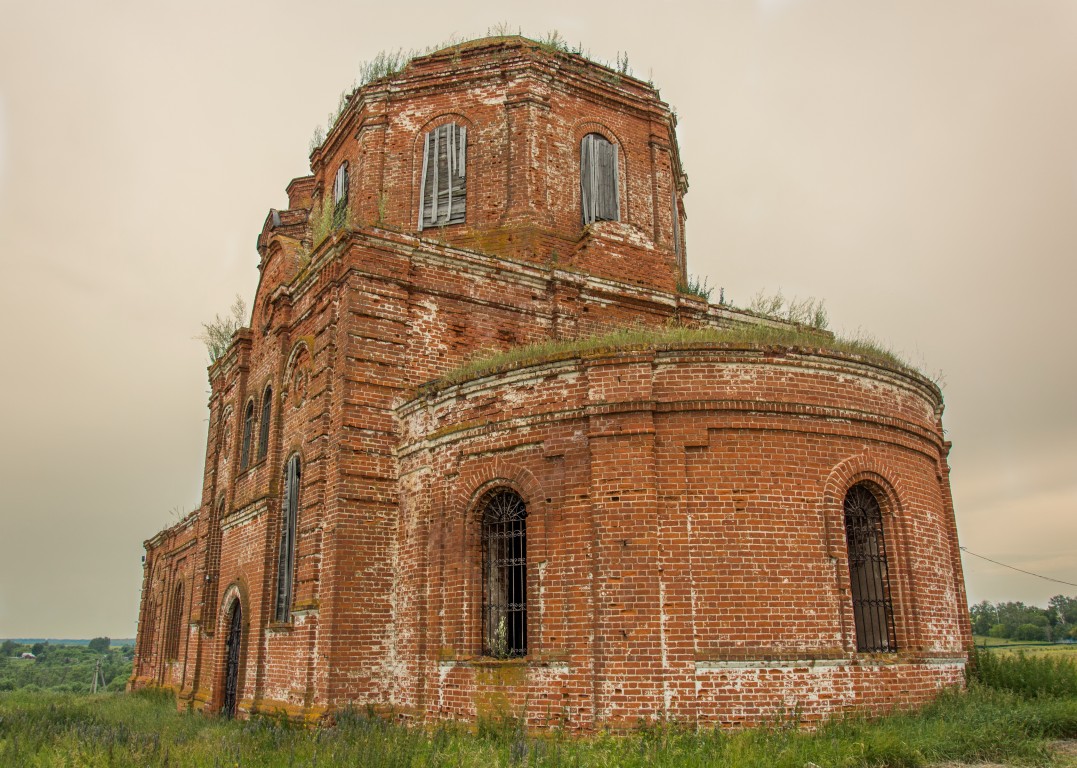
point(505, 575)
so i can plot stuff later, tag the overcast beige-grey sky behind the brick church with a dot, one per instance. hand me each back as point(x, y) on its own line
point(915, 164)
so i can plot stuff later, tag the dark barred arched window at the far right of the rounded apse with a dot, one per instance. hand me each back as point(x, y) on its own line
point(869, 578)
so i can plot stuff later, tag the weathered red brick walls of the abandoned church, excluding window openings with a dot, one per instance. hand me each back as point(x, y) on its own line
point(687, 551)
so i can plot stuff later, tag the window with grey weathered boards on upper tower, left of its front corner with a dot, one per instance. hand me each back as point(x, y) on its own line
point(444, 184)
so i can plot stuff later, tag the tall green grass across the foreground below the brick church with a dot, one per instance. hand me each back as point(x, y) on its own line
point(985, 724)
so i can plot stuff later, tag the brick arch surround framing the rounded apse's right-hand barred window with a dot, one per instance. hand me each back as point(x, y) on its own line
point(893, 496)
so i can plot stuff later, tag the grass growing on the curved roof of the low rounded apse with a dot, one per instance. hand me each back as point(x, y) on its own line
point(668, 338)
